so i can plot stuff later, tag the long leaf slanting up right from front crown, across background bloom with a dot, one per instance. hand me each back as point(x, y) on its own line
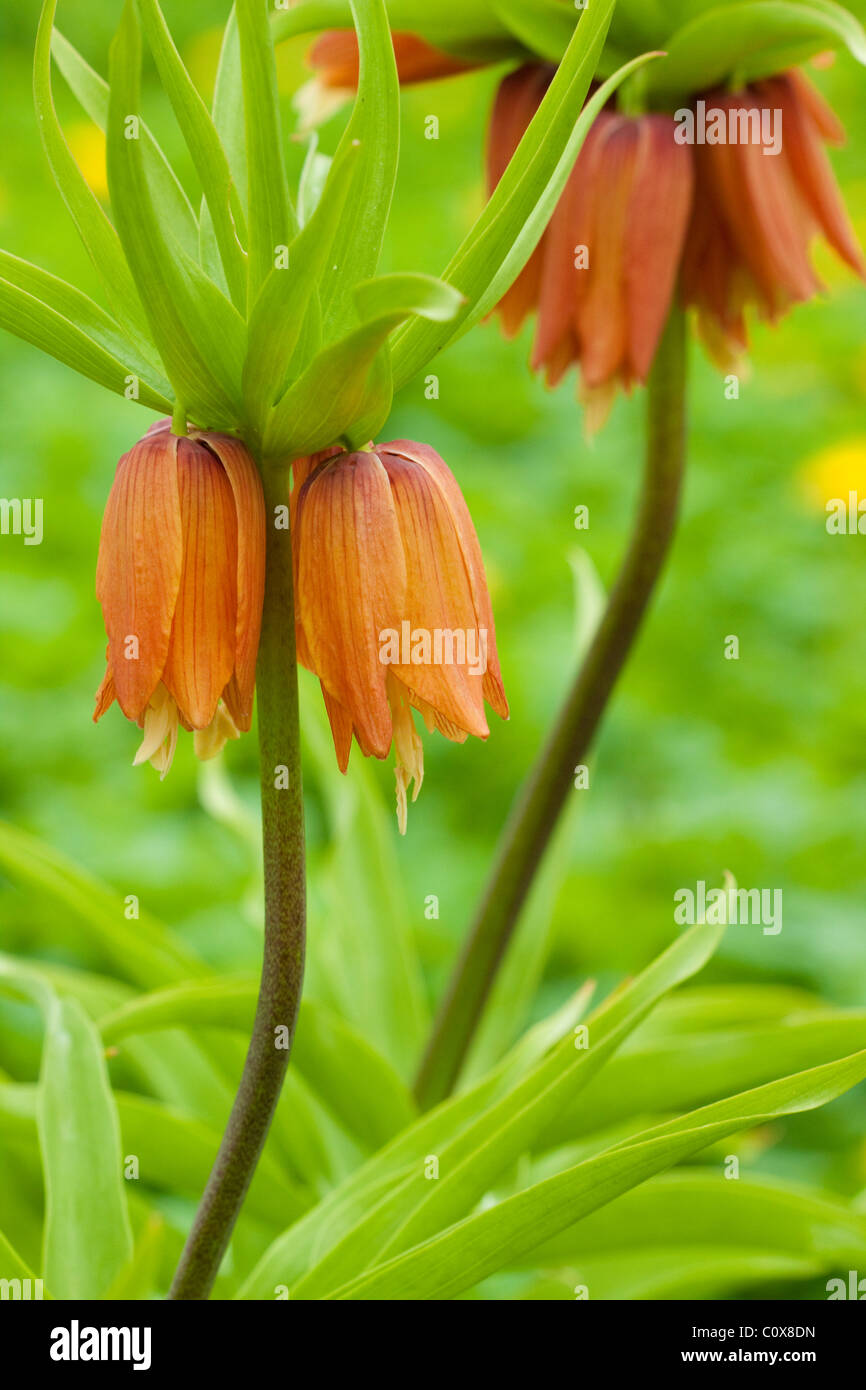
point(522, 205)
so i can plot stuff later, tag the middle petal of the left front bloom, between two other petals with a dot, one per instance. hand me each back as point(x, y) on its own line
point(202, 651)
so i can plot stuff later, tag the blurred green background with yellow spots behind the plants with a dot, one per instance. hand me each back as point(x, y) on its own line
point(757, 767)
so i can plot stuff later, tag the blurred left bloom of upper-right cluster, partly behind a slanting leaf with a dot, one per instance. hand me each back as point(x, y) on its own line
point(605, 273)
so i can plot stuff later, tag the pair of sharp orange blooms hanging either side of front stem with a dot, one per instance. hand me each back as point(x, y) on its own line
point(393, 608)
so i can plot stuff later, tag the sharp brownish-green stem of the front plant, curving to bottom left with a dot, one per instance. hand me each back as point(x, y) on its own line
point(284, 918)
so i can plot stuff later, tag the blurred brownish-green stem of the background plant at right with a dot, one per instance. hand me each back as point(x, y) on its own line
point(537, 811)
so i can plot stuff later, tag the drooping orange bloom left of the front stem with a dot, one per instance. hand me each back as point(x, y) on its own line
point(181, 582)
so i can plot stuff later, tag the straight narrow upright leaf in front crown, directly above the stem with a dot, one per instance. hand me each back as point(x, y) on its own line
point(270, 212)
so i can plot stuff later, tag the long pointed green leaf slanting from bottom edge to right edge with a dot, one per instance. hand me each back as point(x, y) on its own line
point(459, 1259)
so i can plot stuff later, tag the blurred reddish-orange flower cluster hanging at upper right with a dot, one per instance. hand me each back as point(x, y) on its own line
point(642, 211)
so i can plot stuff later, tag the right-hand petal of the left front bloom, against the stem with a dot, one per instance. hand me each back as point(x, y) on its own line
point(252, 540)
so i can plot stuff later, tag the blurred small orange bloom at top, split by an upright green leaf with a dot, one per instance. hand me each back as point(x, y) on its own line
point(336, 62)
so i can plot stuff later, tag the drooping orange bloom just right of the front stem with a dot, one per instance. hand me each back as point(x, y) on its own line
point(393, 608)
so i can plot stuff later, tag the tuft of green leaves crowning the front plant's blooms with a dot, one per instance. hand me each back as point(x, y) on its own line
point(250, 316)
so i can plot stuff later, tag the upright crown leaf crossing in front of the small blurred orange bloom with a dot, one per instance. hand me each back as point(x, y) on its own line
point(376, 127)
